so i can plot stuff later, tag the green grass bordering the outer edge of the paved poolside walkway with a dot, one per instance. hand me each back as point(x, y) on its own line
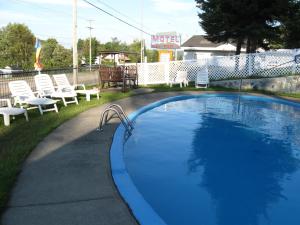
point(18, 140)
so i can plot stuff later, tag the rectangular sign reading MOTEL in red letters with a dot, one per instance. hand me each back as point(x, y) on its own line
point(165, 41)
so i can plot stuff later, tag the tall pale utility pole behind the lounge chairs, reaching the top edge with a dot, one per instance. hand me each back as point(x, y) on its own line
point(75, 53)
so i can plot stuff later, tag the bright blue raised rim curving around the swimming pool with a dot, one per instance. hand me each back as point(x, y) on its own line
point(140, 208)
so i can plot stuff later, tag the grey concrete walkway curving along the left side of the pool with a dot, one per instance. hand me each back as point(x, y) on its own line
point(67, 178)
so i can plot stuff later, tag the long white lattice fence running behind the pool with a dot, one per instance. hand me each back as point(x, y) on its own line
point(267, 64)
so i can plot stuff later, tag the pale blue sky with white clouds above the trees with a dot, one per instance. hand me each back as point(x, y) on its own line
point(53, 18)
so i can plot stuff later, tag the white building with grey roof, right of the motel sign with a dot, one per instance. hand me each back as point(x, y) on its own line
point(198, 47)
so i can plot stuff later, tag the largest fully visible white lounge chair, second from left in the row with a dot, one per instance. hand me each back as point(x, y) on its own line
point(23, 95)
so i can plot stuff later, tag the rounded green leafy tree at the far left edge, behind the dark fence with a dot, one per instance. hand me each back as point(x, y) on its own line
point(16, 46)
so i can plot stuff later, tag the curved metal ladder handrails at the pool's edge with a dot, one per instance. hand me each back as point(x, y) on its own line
point(117, 112)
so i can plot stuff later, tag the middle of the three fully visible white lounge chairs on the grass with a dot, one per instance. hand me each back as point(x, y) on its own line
point(45, 88)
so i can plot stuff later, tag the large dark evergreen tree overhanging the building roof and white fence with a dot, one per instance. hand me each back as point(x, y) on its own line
point(253, 23)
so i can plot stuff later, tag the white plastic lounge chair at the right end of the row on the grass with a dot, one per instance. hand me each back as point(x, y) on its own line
point(62, 82)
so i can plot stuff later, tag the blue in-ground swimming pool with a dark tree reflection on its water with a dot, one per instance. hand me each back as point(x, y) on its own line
point(211, 160)
